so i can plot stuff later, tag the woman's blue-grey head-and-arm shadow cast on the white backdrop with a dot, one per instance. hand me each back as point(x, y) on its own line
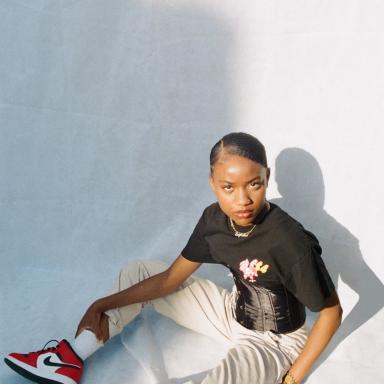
point(301, 185)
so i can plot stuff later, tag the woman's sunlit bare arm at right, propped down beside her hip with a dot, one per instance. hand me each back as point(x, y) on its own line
point(329, 319)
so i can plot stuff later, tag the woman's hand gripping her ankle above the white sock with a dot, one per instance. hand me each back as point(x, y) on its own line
point(96, 321)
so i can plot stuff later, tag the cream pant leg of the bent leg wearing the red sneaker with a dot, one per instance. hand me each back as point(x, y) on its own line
point(197, 304)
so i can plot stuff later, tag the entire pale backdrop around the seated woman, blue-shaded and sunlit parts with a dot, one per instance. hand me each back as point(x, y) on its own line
point(108, 111)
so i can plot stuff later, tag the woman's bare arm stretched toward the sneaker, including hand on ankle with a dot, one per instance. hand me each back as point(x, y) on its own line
point(154, 287)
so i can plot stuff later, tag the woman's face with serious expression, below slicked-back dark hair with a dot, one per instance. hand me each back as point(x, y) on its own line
point(240, 186)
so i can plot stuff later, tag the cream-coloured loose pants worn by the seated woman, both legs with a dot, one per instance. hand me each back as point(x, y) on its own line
point(202, 306)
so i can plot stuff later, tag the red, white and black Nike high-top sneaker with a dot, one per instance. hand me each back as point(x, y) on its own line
point(55, 365)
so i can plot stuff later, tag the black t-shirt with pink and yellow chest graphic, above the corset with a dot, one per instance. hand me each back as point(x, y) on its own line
point(279, 253)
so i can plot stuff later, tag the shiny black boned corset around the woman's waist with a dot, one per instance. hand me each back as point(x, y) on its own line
point(263, 309)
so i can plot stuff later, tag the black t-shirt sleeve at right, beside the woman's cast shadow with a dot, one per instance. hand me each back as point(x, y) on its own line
point(310, 281)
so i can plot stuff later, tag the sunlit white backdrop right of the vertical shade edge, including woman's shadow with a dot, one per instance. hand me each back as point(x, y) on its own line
point(309, 83)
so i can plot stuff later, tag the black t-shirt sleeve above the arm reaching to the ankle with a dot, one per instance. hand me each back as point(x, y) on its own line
point(197, 248)
